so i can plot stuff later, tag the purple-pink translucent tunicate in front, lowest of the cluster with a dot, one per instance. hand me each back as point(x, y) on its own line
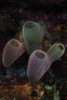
point(39, 63)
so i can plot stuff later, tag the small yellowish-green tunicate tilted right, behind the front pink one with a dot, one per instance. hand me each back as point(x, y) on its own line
point(56, 51)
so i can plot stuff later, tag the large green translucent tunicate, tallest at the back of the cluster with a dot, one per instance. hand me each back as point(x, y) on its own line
point(33, 34)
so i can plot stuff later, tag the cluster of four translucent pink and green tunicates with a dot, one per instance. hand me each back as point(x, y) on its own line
point(39, 60)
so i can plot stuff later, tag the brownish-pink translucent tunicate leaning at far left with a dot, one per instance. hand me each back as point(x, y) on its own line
point(12, 51)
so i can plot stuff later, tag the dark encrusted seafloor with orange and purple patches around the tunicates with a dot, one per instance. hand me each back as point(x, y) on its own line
point(13, 14)
